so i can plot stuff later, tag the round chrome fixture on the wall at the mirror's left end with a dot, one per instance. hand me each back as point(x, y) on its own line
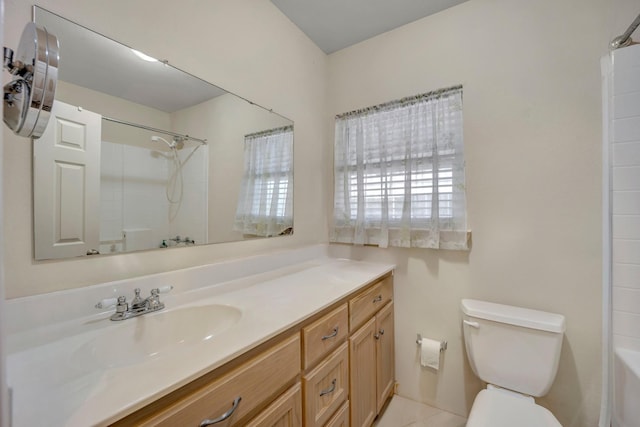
point(28, 98)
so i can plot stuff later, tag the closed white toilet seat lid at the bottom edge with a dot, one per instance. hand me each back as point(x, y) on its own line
point(494, 408)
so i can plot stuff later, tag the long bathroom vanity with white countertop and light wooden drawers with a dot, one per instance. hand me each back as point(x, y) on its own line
point(309, 344)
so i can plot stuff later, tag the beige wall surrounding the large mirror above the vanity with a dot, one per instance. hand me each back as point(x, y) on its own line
point(246, 47)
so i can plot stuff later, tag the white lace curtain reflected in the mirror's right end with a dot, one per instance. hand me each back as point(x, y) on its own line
point(265, 203)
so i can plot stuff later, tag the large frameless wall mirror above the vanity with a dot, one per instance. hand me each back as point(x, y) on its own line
point(140, 155)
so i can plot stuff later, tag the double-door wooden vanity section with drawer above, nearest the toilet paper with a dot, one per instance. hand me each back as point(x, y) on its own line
point(372, 362)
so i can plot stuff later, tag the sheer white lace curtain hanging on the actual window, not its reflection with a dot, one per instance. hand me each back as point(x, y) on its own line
point(399, 174)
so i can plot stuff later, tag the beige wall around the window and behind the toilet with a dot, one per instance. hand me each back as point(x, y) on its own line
point(532, 131)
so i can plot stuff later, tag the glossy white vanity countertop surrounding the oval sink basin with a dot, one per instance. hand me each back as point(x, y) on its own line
point(55, 384)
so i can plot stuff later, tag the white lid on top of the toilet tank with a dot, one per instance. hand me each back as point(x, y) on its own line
point(517, 316)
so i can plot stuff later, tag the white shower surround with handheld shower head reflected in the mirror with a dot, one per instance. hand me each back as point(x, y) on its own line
point(153, 189)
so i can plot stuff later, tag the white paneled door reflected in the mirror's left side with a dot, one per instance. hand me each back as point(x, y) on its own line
point(66, 184)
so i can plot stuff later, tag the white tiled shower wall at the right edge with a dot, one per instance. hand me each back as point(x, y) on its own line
point(625, 173)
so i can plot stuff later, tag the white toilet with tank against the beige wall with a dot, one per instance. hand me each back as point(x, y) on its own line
point(516, 351)
